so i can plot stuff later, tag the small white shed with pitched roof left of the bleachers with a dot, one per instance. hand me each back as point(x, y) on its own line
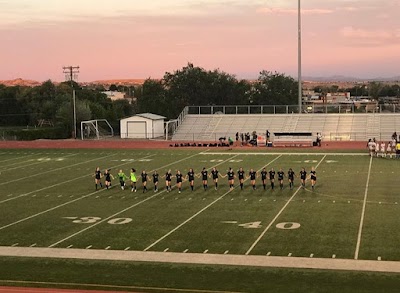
point(144, 125)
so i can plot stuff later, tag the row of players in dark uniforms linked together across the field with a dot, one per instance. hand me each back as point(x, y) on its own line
point(204, 175)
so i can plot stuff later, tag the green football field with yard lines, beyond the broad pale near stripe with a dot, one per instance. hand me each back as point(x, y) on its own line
point(48, 200)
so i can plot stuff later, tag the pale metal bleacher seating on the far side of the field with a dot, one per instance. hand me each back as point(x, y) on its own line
point(344, 127)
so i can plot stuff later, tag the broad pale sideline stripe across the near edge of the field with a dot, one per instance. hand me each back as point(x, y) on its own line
point(200, 258)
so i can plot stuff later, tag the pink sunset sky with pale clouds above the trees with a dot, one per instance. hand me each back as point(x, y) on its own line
point(120, 39)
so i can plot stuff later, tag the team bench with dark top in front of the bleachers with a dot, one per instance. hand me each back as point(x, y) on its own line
point(293, 139)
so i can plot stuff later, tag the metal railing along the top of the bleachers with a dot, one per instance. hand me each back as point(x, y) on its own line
point(290, 109)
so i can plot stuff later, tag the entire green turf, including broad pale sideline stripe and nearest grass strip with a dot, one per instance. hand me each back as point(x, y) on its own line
point(57, 231)
